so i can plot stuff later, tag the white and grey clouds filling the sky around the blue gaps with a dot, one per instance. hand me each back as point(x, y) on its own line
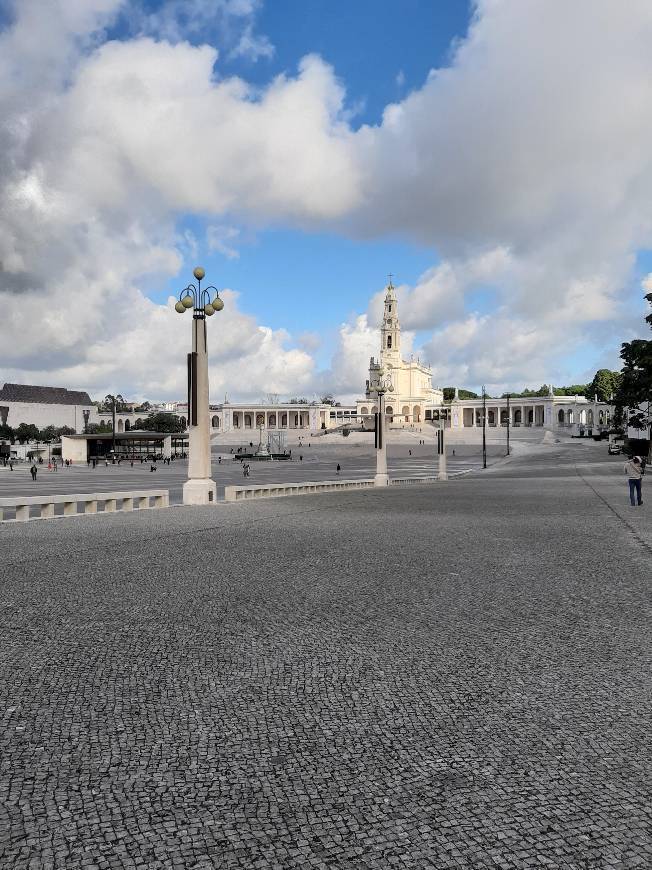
point(526, 164)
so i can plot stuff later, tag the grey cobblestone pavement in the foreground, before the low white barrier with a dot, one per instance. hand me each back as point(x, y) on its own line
point(452, 676)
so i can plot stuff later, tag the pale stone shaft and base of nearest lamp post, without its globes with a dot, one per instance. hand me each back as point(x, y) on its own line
point(199, 488)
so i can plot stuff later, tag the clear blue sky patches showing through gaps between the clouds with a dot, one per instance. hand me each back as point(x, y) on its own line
point(381, 50)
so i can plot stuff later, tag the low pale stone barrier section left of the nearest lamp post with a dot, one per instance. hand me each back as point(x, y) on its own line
point(140, 498)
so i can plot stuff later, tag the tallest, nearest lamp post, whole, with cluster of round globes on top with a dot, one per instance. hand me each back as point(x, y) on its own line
point(199, 488)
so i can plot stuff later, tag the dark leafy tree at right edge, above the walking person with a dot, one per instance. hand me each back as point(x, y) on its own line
point(634, 391)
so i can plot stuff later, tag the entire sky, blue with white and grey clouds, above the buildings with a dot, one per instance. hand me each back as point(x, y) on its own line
point(494, 156)
